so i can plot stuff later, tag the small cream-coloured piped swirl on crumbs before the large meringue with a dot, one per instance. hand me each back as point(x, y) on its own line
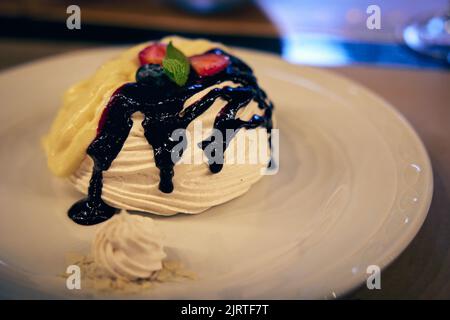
point(129, 246)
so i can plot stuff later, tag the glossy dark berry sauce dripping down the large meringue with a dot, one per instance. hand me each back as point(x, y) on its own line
point(163, 114)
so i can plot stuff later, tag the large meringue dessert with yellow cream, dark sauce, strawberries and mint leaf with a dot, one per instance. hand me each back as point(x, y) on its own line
point(113, 138)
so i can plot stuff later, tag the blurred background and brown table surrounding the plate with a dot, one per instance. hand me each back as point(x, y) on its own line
point(405, 61)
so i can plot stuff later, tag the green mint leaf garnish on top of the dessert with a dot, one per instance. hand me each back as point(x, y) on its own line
point(176, 65)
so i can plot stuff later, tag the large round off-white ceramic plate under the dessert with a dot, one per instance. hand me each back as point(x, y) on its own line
point(353, 188)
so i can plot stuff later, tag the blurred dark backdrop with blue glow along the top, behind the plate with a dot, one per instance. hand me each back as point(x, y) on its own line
point(323, 32)
